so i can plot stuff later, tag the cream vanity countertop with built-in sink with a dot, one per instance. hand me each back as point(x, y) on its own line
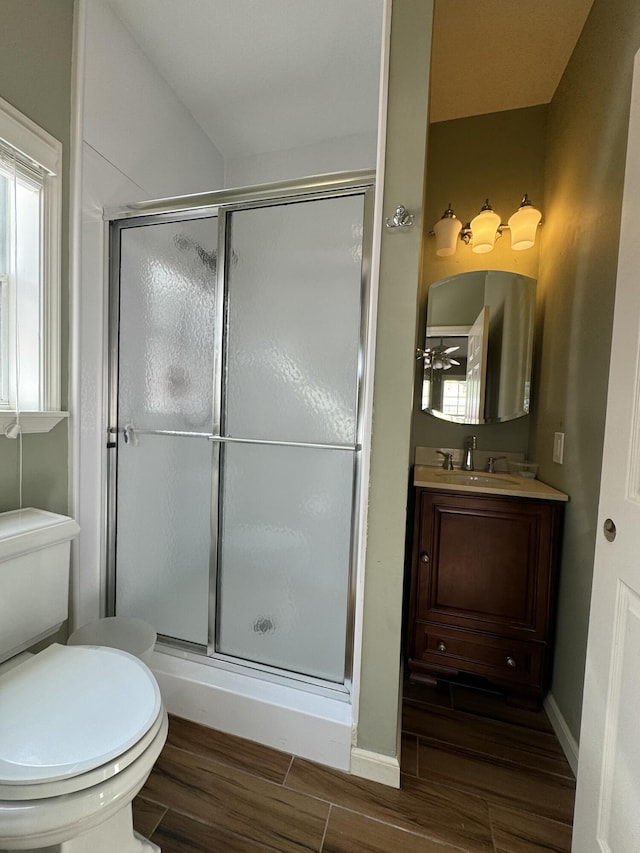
point(479, 482)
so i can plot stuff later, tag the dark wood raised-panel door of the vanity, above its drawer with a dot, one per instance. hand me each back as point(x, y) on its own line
point(488, 564)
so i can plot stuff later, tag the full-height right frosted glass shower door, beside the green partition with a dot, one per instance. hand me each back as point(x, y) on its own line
point(293, 335)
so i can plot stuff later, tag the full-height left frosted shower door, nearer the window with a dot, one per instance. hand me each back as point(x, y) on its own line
point(165, 311)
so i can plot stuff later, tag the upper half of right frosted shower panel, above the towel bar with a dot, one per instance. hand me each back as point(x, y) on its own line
point(295, 281)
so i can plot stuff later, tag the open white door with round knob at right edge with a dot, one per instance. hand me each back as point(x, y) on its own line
point(607, 817)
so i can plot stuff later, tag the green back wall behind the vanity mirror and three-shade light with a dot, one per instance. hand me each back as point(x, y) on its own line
point(500, 156)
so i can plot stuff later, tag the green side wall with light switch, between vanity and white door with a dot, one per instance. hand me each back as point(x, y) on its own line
point(586, 146)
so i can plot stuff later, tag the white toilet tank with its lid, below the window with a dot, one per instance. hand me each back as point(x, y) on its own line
point(34, 576)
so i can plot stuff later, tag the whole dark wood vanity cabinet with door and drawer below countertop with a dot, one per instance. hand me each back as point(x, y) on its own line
point(482, 592)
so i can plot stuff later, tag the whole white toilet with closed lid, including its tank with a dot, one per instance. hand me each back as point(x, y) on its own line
point(81, 726)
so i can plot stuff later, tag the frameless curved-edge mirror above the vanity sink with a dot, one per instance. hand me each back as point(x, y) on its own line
point(478, 347)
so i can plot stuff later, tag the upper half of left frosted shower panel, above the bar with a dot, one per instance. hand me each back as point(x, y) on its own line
point(167, 324)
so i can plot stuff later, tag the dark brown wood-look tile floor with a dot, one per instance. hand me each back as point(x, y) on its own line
point(477, 775)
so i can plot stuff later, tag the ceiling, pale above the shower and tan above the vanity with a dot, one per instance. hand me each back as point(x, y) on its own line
point(269, 75)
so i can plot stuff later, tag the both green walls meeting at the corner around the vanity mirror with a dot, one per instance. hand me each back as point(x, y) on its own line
point(572, 164)
